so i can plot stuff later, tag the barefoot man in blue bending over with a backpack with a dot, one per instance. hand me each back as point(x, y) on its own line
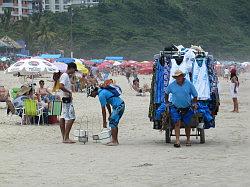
point(108, 97)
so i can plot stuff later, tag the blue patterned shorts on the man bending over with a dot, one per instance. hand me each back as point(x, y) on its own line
point(116, 115)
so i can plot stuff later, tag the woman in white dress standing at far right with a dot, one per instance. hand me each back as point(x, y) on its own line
point(234, 90)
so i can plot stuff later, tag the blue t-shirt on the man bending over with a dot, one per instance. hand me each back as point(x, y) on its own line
point(106, 97)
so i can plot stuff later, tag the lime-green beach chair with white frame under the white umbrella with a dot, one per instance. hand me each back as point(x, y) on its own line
point(31, 109)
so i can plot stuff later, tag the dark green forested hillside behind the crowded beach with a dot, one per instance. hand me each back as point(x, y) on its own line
point(137, 29)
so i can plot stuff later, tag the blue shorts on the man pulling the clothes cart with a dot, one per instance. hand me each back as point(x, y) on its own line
point(177, 116)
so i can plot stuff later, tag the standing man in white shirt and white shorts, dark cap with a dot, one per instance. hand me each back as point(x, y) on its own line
point(68, 113)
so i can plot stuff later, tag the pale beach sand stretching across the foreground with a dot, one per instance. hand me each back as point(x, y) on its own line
point(34, 155)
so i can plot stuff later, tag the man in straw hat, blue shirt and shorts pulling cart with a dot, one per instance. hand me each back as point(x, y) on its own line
point(182, 91)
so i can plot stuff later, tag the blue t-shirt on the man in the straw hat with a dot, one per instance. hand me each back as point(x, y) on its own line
point(182, 94)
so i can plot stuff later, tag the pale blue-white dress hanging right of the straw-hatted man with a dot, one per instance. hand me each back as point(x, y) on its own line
point(200, 79)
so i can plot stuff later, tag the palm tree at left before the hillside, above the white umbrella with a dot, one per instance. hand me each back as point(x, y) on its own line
point(45, 36)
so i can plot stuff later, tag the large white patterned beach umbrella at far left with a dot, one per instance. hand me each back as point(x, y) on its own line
point(31, 67)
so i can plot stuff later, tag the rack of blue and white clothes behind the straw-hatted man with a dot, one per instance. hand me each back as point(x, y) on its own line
point(199, 68)
